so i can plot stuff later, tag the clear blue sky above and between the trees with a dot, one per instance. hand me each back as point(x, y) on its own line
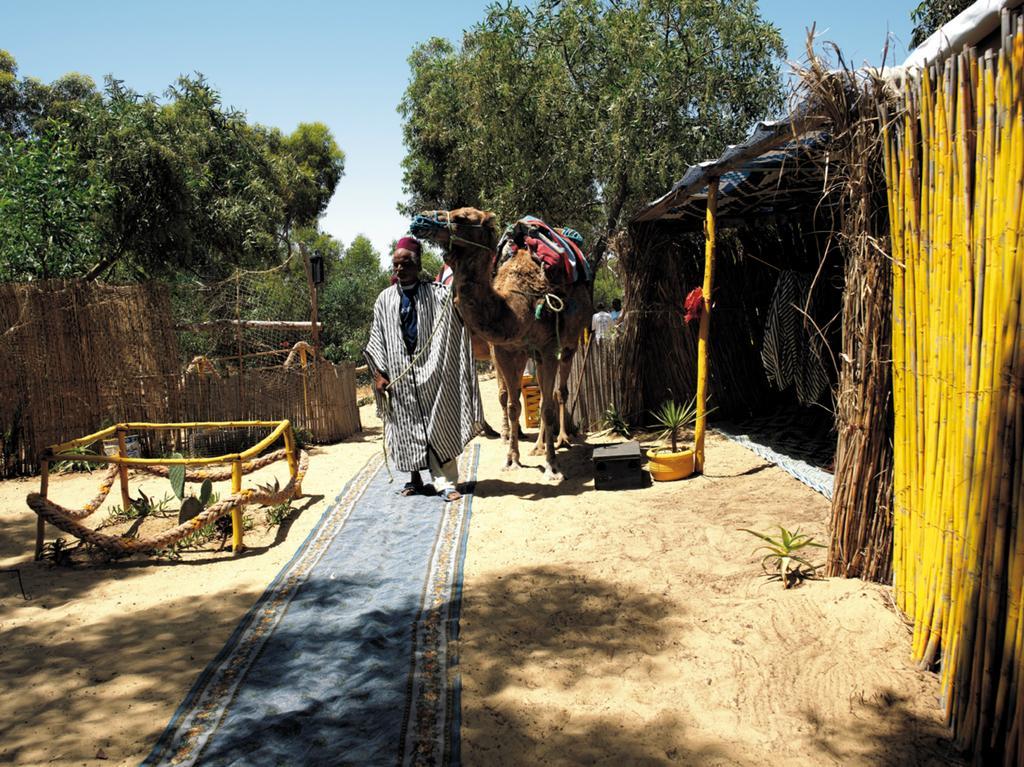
point(339, 63)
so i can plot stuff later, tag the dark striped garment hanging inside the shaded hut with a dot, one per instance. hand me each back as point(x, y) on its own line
point(792, 352)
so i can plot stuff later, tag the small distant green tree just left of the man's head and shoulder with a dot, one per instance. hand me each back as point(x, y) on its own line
point(347, 304)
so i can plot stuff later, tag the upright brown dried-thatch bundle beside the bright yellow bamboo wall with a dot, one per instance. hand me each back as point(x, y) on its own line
point(862, 515)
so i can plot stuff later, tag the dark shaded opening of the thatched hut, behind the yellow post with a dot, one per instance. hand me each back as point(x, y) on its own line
point(777, 301)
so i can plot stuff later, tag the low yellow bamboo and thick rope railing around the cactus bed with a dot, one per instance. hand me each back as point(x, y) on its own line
point(239, 464)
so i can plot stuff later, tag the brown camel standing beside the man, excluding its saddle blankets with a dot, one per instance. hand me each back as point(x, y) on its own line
point(511, 314)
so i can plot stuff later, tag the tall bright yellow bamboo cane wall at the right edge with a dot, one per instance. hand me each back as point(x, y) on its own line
point(955, 164)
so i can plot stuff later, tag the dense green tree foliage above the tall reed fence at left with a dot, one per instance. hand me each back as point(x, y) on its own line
point(147, 188)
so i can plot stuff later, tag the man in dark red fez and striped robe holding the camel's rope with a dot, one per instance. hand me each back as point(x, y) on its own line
point(424, 375)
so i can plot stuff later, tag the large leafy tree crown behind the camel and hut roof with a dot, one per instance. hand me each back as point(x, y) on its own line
point(582, 111)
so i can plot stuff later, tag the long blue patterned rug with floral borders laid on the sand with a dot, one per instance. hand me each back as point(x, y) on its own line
point(348, 658)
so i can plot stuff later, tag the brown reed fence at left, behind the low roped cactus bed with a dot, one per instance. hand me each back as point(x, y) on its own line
point(77, 356)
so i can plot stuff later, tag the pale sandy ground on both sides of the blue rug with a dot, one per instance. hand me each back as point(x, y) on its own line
point(630, 627)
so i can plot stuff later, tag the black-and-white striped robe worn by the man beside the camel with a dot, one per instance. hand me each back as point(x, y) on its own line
point(434, 401)
